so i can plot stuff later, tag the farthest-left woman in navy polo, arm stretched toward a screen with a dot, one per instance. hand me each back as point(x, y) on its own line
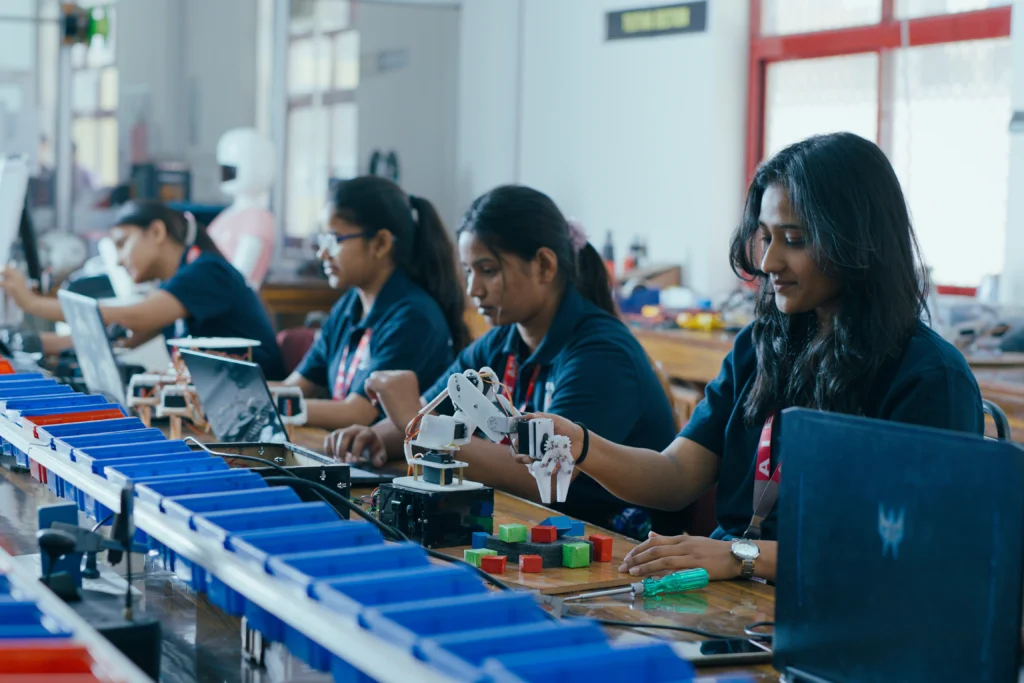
point(202, 294)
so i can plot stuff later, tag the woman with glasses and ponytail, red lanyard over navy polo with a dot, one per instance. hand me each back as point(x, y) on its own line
point(405, 307)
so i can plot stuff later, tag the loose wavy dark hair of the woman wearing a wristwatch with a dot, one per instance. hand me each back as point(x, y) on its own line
point(847, 196)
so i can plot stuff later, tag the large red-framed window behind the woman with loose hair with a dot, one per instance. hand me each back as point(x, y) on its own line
point(932, 91)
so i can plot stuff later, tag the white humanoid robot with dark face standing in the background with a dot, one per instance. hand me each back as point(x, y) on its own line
point(245, 232)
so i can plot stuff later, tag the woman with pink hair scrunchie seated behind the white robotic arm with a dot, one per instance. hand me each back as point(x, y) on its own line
point(558, 341)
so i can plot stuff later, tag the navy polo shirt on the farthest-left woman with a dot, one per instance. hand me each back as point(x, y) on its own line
point(222, 305)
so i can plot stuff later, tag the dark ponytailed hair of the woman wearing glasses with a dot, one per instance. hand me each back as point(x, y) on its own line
point(423, 249)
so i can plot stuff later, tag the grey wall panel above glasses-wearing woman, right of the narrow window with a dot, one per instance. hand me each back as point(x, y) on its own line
point(412, 110)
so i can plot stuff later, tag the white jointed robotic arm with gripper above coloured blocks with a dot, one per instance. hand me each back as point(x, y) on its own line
point(481, 404)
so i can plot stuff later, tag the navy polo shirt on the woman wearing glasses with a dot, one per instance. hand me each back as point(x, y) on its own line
point(408, 331)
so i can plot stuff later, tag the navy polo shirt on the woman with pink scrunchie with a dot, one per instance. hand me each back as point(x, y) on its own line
point(592, 371)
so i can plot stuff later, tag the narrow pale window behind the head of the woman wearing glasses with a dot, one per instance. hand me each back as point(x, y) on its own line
point(323, 116)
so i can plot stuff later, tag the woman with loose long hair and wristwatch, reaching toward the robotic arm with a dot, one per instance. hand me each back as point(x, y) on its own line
point(839, 328)
